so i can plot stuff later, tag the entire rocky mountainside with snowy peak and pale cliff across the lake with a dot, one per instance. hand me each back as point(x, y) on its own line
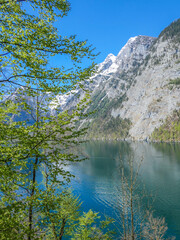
point(132, 92)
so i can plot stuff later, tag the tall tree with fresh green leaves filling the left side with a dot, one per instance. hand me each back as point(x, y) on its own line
point(30, 136)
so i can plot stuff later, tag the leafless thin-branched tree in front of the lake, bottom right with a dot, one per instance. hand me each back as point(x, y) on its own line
point(136, 218)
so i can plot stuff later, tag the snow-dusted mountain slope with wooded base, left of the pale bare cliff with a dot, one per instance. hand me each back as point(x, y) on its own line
point(116, 75)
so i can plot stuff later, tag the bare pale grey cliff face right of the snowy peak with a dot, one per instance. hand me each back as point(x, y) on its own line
point(152, 99)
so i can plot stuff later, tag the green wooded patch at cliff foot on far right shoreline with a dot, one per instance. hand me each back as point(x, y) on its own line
point(170, 130)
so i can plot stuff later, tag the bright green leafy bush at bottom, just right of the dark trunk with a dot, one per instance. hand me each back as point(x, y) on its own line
point(59, 214)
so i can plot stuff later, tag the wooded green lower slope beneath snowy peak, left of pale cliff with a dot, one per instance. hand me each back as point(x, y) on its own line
point(103, 125)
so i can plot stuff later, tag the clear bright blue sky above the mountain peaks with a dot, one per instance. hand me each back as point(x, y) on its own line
point(108, 24)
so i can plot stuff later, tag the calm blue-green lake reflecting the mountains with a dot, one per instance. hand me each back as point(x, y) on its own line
point(98, 179)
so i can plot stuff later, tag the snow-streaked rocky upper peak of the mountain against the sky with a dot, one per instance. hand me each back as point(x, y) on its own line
point(116, 72)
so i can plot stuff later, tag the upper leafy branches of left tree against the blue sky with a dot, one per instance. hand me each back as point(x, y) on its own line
point(28, 40)
